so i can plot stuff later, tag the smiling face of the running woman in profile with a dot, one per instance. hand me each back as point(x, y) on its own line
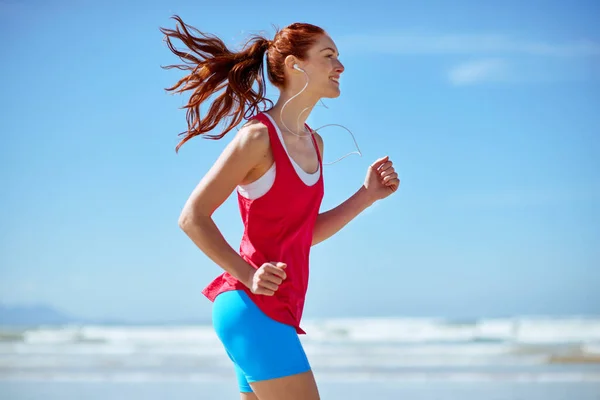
point(323, 68)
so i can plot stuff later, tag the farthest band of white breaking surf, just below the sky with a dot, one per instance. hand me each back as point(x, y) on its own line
point(363, 330)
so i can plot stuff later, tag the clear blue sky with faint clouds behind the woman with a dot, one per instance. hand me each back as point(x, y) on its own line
point(490, 113)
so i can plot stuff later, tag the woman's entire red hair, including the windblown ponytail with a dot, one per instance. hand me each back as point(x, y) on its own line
point(214, 68)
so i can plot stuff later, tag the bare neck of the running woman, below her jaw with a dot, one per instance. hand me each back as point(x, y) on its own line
point(296, 111)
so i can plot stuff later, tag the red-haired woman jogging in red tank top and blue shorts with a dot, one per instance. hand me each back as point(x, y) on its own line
point(275, 164)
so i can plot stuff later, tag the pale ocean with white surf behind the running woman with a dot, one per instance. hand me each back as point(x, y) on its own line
point(376, 358)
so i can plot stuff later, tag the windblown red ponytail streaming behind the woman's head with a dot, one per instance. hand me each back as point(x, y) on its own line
point(213, 68)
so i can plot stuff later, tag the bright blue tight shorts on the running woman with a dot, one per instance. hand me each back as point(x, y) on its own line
point(260, 347)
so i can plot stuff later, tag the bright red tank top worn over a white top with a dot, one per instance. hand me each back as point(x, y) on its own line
point(278, 226)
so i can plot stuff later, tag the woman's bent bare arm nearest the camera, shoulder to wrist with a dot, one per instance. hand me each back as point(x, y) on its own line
point(242, 154)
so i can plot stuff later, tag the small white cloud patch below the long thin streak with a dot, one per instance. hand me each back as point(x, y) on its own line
point(478, 71)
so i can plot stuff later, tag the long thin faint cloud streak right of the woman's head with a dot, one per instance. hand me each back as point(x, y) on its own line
point(457, 44)
